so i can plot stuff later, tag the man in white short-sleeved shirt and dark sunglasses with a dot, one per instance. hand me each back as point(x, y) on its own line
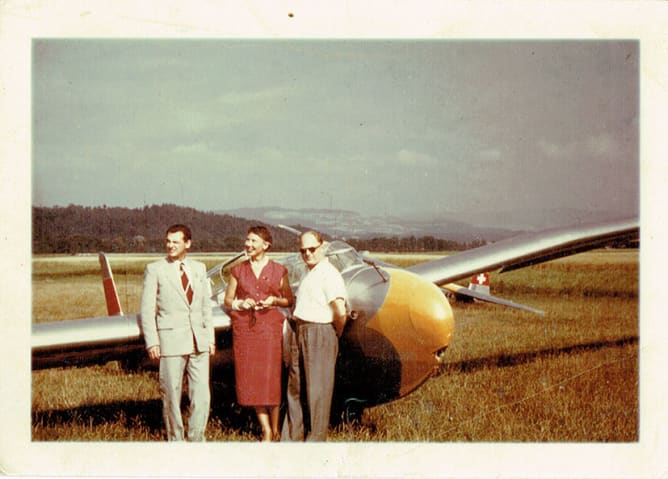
point(320, 316)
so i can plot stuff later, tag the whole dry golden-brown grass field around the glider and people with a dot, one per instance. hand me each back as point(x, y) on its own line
point(569, 376)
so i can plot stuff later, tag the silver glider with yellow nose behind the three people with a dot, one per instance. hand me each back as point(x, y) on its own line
point(400, 320)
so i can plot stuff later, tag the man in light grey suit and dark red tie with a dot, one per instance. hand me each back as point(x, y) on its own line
point(177, 325)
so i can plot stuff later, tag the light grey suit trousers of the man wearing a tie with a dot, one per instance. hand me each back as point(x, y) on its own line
point(196, 367)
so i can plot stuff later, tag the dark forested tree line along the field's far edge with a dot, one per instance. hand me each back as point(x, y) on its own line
point(84, 229)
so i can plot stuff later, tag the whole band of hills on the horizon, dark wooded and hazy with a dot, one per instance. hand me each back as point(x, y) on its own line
point(74, 229)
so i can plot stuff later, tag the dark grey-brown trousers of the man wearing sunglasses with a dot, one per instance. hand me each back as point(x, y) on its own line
point(312, 362)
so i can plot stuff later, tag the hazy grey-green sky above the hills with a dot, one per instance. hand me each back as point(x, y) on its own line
point(384, 127)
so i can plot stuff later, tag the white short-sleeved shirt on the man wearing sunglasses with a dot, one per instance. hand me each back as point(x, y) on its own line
point(321, 285)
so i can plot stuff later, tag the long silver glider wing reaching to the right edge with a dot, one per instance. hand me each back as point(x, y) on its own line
point(526, 250)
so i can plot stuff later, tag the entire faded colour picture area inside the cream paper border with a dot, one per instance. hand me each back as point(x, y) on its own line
point(378, 244)
